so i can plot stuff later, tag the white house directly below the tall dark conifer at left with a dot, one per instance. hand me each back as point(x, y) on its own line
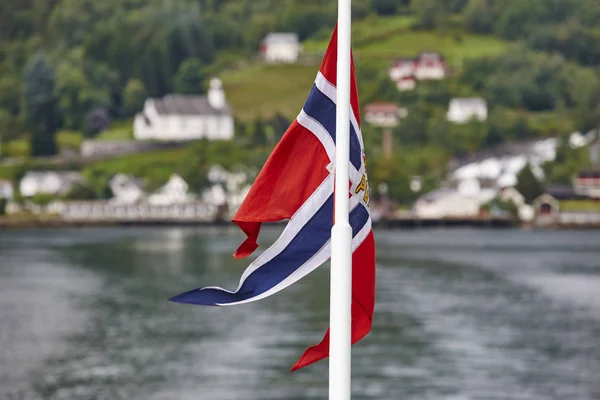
point(48, 182)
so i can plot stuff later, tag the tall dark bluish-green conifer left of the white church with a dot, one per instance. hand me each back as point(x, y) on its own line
point(41, 106)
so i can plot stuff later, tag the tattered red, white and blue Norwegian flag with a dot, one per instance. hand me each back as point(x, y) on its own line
point(297, 183)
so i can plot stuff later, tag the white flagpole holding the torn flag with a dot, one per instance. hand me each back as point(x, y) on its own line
point(341, 234)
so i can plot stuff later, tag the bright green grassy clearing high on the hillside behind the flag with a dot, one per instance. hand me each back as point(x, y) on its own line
point(268, 89)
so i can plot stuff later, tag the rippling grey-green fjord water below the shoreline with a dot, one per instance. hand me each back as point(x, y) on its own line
point(460, 314)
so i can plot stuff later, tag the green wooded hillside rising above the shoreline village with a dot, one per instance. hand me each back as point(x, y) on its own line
point(76, 69)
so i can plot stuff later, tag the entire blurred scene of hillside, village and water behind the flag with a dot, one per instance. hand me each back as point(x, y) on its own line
point(131, 130)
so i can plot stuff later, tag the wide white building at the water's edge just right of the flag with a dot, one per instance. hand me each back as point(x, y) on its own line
point(446, 203)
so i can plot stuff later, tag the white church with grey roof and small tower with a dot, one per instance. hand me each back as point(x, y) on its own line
point(182, 117)
